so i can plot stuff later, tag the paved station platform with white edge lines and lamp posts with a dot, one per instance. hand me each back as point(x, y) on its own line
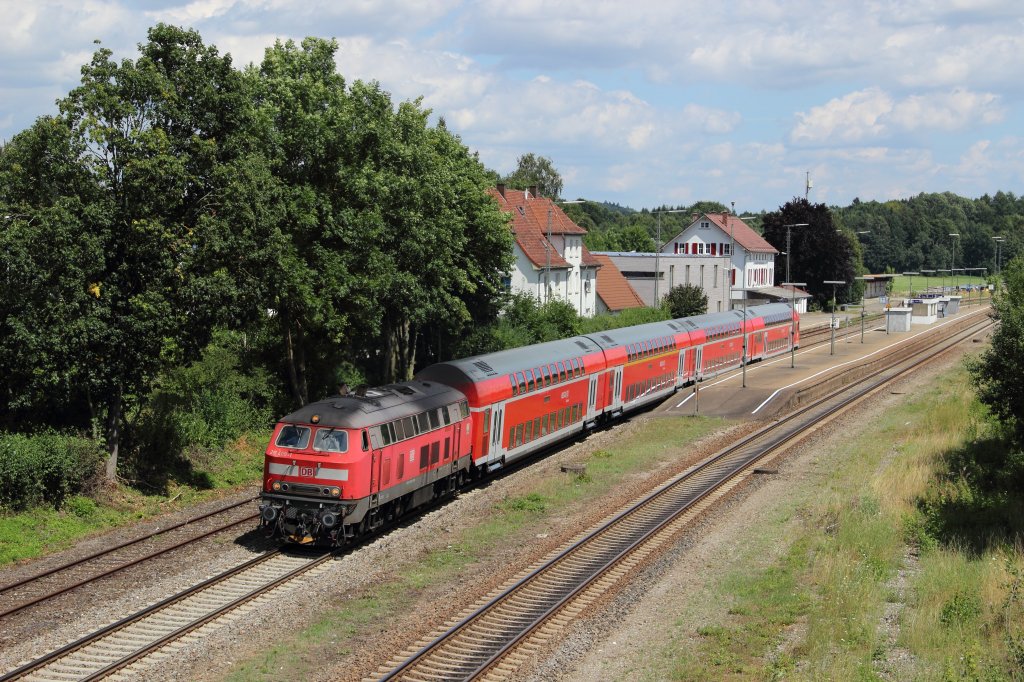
point(772, 383)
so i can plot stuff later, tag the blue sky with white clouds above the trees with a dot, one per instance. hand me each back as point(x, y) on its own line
point(644, 103)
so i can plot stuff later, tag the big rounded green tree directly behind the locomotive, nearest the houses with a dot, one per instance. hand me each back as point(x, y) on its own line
point(385, 232)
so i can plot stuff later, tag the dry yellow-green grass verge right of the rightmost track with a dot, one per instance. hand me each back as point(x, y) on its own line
point(859, 589)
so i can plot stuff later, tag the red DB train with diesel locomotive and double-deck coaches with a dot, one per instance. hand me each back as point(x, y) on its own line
point(342, 467)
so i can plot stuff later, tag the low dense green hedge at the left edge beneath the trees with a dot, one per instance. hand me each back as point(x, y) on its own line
point(46, 468)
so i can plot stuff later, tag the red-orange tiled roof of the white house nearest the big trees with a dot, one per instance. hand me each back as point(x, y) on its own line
point(530, 224)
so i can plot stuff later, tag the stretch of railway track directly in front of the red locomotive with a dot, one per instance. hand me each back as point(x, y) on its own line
point(131, 641)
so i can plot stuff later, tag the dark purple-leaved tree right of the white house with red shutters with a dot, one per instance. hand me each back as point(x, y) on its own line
point(819, 252)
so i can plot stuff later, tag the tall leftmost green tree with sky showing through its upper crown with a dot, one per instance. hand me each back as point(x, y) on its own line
point(140, 144)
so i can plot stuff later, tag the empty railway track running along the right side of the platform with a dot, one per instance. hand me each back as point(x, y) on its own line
point(494, 638)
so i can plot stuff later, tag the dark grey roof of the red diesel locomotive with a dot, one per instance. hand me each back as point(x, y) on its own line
point(379, 405)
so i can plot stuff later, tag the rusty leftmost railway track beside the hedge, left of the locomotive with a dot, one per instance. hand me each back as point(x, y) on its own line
point(45, 586)
